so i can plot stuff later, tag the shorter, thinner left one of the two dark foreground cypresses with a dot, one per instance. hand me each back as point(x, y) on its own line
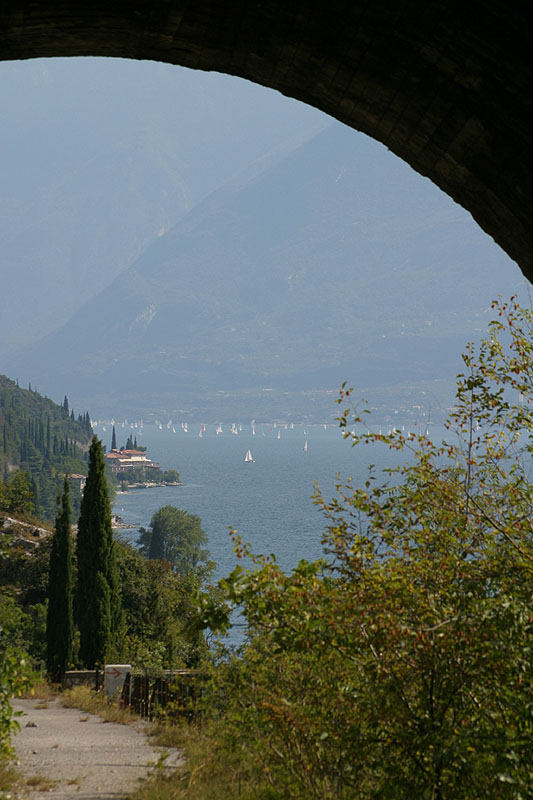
point(59, 620)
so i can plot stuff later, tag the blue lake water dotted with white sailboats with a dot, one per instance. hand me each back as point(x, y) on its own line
point(268, 501)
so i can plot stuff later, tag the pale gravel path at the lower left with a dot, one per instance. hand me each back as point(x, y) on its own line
point(66, 753)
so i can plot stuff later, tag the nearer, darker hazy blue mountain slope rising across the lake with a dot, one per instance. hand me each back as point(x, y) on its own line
point(338, 263)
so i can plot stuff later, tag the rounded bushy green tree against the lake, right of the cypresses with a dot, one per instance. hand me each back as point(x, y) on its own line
point(176, 536)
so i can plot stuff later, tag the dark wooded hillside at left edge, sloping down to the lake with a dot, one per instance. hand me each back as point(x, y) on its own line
point(45, 440)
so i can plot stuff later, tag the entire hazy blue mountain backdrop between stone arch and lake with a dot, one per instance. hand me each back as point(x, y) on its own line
point(102, 159)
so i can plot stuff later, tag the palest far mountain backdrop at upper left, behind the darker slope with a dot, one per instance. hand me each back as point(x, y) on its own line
point(99, 156)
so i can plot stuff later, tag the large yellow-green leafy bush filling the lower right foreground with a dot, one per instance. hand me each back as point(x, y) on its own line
point(401, 664)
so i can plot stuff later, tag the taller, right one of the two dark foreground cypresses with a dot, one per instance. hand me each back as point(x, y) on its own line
point(98, 608)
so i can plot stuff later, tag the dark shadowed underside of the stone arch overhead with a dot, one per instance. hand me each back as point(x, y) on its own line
point(447, 86)
